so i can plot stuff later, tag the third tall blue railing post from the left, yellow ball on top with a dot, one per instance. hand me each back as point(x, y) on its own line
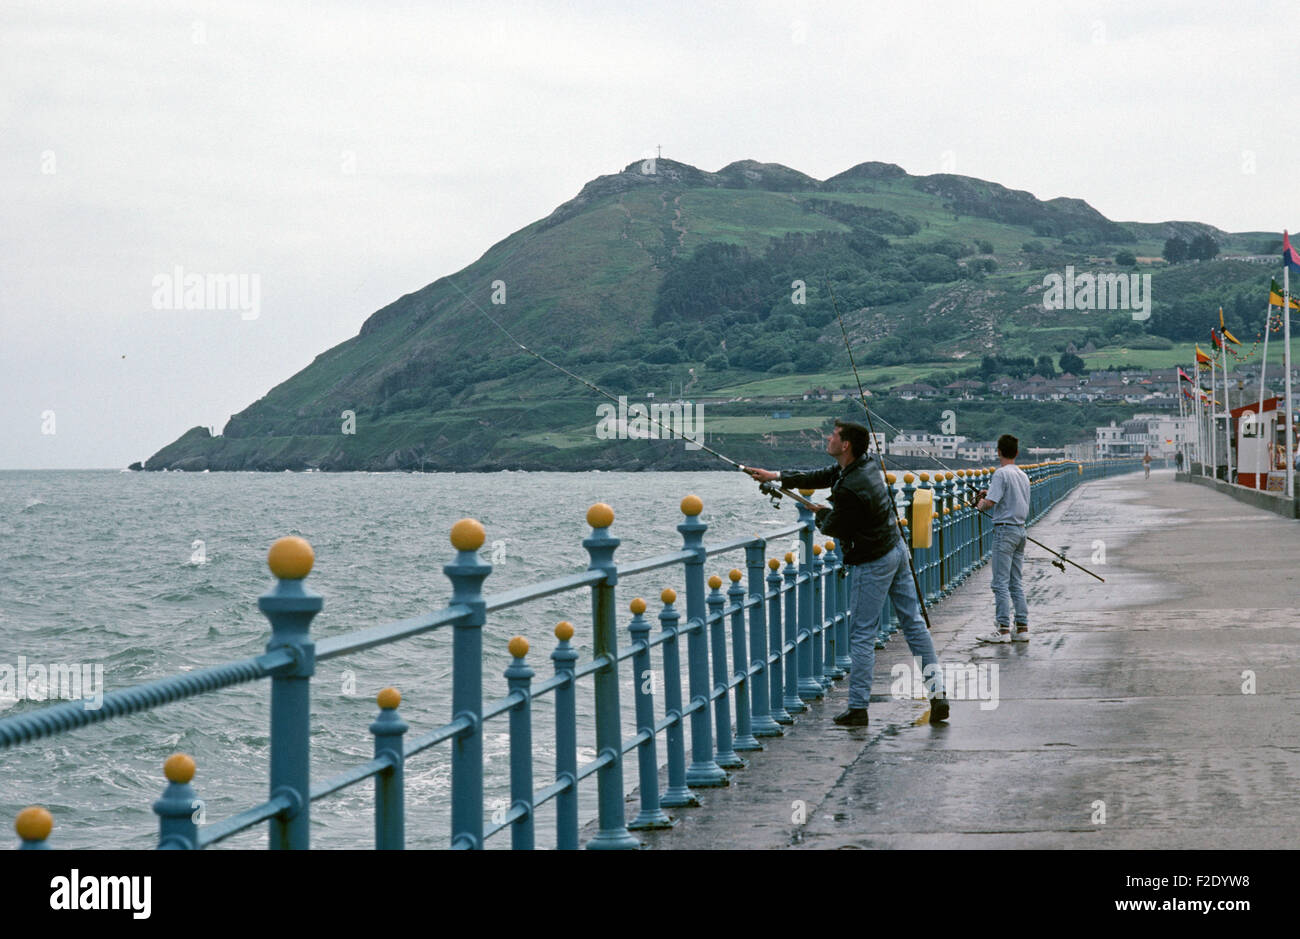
point(605, 646)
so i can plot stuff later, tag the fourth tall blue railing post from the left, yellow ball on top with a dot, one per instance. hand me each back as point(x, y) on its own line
point(704, 772)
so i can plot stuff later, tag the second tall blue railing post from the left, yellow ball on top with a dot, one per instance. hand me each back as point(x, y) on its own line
point(467, 575)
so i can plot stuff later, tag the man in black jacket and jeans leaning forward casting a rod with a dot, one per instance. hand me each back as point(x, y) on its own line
point(863, 521)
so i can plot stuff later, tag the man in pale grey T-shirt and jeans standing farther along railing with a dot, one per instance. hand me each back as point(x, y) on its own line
point(1008, 496)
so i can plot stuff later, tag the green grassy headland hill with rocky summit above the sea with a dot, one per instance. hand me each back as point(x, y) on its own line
point(718, 284)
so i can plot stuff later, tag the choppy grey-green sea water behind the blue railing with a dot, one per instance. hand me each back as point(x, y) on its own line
point(146, 575)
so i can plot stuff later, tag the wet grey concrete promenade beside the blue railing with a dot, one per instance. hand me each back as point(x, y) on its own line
point(1123, 724)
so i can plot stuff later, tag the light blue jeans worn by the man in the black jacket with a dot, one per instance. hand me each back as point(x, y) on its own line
point(873, 582)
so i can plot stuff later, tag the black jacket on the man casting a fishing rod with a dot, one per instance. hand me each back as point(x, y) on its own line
point(861, 517)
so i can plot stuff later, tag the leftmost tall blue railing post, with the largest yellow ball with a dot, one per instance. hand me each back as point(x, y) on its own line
point(291, 609)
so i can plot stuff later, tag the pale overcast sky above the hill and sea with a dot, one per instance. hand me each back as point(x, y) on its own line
point(348, 154)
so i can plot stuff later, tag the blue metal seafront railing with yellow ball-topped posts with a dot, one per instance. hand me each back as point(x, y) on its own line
point(790, 641)
